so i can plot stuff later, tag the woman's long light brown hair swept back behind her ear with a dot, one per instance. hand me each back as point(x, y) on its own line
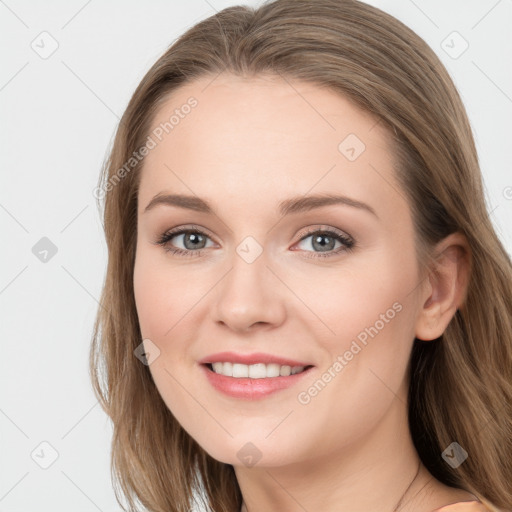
point(460, 385)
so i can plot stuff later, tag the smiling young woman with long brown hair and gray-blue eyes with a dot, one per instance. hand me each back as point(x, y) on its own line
point(306, 306)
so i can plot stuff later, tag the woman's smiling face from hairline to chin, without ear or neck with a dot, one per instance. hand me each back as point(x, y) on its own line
point(259, 278)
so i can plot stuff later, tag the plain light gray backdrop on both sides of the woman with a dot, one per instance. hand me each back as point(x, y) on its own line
point(58, 116)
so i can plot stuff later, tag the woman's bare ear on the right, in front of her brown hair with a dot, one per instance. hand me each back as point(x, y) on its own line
point(446, 286)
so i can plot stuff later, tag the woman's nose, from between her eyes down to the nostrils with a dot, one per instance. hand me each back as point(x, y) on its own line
point(249, 292)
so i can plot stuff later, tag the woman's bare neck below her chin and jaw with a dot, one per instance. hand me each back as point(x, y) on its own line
point(374, 473)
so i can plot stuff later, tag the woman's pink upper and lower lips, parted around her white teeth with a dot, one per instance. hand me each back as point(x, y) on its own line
point(246, 388)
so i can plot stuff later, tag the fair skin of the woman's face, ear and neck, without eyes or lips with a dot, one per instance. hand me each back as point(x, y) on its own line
point(249, 144)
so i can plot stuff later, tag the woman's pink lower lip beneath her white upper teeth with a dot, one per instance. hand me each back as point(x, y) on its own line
point(251, 389)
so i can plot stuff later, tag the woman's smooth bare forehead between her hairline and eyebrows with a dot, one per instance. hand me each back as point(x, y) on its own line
point(265, 137)
